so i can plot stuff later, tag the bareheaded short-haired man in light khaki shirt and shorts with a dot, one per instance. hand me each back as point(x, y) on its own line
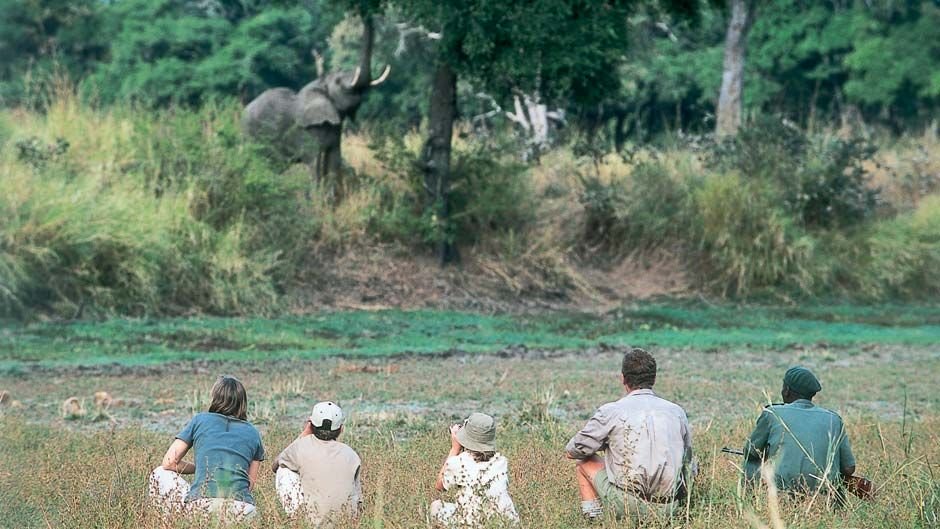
point(647, 443)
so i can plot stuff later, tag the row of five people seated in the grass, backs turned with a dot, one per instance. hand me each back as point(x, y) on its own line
point(645, 470)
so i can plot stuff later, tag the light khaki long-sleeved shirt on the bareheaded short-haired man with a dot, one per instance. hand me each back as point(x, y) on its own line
point(647, 441)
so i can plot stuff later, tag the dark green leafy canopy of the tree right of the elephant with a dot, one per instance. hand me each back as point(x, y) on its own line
point(505, 46)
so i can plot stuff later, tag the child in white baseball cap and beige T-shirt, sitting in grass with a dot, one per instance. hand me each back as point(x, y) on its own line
point(317, 474)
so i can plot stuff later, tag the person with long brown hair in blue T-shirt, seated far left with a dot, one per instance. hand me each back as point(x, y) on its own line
point(227, 455)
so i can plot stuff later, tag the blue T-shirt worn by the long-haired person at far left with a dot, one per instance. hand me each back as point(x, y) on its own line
point(223, 448)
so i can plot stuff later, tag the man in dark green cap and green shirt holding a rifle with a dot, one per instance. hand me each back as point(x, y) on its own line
point(806, 444)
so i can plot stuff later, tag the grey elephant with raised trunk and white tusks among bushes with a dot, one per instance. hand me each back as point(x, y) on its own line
point(307, 125)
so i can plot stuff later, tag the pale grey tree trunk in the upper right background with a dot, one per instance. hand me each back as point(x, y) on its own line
point(730, 100)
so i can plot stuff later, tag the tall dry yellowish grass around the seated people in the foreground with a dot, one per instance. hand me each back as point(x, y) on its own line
point(81, 480)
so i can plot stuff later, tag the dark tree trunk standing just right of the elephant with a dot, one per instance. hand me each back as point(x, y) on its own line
point(436, 152)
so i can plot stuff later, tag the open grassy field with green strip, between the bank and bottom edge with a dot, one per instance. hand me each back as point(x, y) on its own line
point(879, 368)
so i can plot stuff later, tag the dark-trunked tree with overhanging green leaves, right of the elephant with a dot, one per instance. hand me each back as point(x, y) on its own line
point(562, 50)
